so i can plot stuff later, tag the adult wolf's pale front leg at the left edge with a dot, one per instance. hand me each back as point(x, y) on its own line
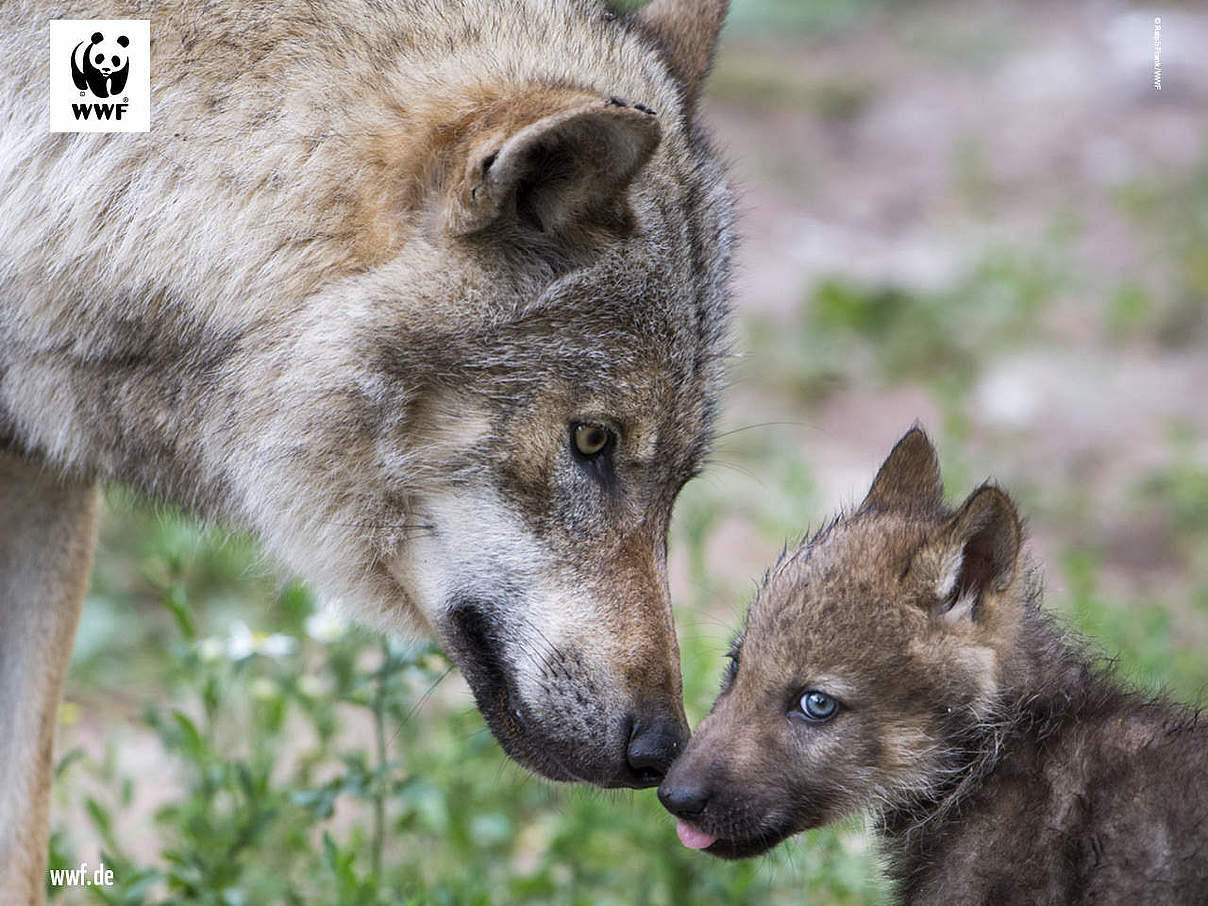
point(48, 531)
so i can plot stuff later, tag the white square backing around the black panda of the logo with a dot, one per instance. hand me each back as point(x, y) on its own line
point(75, 109)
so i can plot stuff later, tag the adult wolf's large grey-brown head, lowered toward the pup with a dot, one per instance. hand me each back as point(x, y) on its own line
point(526, 357)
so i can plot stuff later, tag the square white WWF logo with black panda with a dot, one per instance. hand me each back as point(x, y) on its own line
point(101, 75)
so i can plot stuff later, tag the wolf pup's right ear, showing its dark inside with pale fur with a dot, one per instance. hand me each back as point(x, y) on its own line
point(981, 548)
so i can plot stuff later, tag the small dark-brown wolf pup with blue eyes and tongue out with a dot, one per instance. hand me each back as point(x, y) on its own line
point(899, 664)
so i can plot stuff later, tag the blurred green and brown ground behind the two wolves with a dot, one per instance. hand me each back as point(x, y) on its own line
point(977, 216)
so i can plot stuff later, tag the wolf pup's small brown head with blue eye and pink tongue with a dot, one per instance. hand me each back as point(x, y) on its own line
point(872, 658)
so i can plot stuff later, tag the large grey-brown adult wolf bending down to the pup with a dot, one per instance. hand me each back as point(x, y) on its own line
point(428, 295)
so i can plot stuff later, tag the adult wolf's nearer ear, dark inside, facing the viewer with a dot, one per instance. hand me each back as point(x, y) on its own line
point(565, 175)
